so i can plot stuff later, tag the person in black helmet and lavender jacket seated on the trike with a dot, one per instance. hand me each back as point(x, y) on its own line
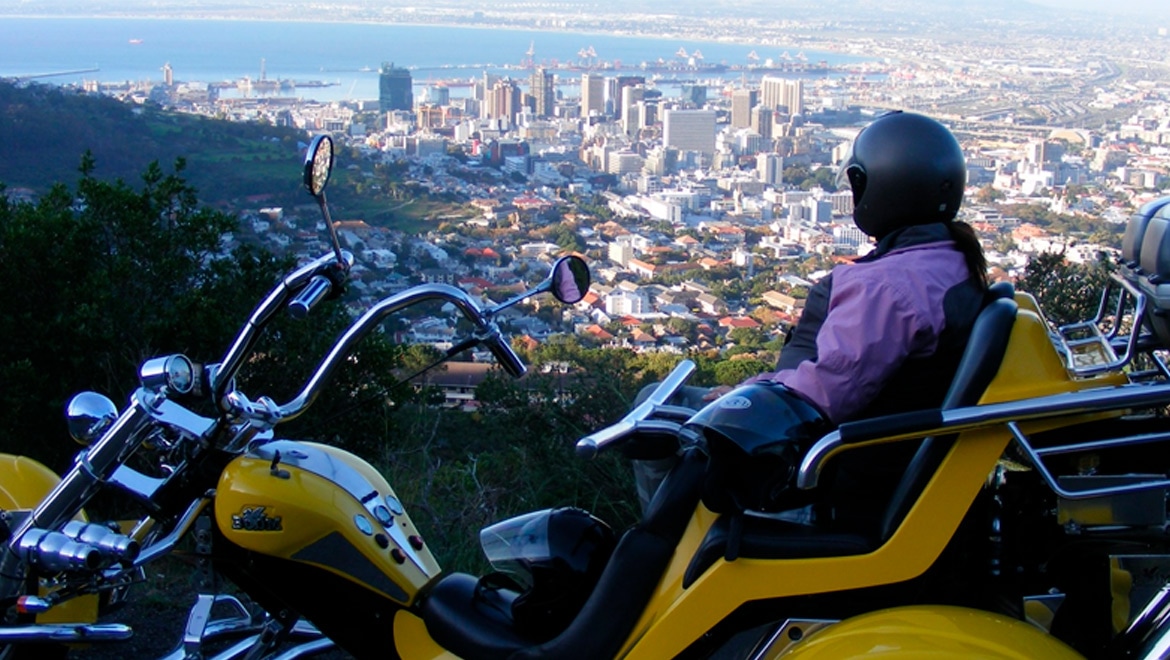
point(885, 334)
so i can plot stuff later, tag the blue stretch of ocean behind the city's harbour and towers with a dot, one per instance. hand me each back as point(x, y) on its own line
point(345, 56)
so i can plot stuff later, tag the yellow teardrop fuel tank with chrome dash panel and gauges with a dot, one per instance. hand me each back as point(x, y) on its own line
point(327, 507)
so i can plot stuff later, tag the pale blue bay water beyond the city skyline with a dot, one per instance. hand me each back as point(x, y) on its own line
point(347, 54)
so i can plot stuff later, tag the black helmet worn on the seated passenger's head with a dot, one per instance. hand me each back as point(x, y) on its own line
point(904, 169)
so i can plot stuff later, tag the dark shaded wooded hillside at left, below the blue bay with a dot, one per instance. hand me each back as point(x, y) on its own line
point(45, 130)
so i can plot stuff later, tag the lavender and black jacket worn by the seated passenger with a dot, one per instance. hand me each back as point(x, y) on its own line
point(884, 335)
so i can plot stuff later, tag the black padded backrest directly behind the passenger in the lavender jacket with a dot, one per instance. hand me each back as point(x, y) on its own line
point(978, 368)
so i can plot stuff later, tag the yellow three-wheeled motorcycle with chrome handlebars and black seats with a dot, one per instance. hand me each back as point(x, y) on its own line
point(1027, 517)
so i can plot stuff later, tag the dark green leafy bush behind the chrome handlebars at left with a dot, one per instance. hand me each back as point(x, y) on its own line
point(101, 278)
